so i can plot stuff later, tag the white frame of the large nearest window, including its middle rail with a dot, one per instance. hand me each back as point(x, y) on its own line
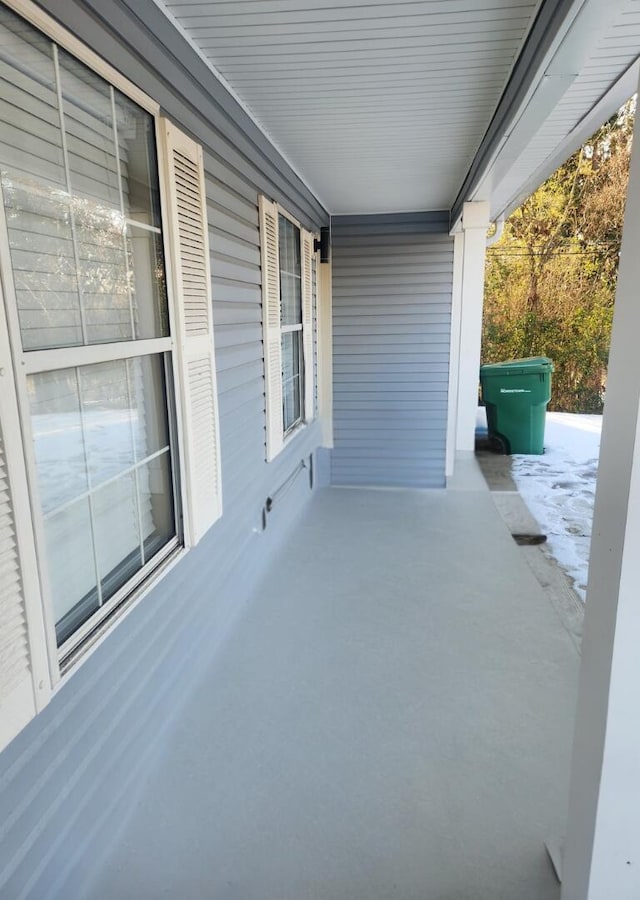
point(63, 659)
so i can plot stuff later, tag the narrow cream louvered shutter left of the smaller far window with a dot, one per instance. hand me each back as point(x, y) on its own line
point(271, 325)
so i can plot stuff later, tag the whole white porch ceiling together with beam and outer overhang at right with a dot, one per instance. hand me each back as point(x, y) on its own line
point(420, 104)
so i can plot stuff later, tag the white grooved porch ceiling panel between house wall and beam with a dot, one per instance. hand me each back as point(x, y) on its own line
point(380, 107)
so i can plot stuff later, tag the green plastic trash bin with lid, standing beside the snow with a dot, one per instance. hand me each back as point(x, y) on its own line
point(515, 395)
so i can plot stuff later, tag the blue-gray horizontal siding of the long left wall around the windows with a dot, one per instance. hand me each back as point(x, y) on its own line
point(70, 777)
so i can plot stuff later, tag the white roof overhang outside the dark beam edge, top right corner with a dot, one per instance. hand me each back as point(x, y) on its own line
point(585, 67)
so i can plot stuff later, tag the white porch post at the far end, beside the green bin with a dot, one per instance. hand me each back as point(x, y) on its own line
point(475, 221)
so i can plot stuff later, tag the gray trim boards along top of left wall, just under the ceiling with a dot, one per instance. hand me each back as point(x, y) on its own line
point(146, 32)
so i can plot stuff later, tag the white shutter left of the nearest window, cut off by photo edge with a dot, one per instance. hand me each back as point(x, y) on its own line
point(24, 672)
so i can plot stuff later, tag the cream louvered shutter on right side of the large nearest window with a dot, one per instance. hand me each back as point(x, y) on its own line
point(191, 277)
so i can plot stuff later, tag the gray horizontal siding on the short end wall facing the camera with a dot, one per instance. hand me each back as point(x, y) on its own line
point(391, 333)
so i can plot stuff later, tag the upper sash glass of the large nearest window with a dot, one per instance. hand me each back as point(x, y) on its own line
point(72, 178)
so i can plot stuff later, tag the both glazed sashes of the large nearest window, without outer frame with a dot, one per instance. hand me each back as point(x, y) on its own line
point(82, 224)
